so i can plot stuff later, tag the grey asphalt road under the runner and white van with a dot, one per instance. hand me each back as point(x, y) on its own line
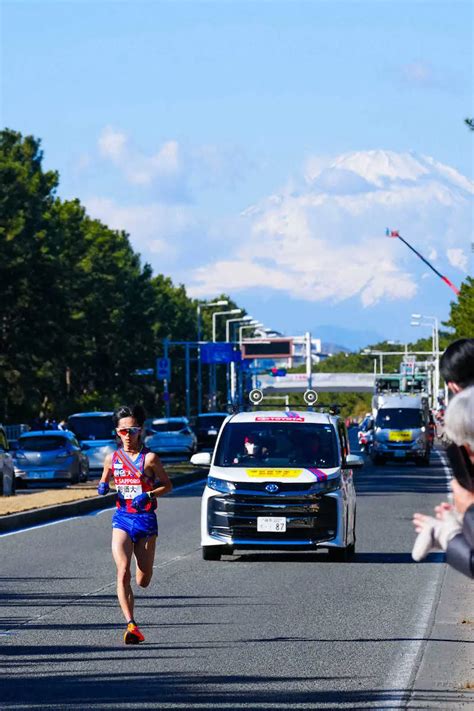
point(253, 631)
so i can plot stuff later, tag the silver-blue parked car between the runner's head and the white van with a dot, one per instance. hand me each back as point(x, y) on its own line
point(172, 435)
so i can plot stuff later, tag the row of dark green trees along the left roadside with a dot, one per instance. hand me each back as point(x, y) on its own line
point(80, 312)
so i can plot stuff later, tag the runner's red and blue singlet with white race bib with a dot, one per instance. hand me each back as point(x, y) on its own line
point(130, 480)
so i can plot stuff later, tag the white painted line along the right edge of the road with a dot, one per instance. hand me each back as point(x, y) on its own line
point(403, 673)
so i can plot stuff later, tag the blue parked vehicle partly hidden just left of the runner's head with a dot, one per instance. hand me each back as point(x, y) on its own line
point(96, 433)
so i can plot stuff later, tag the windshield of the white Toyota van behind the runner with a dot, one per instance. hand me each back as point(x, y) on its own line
point(271, 444)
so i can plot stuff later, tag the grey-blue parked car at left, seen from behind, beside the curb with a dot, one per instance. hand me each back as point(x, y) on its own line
point(50, 455)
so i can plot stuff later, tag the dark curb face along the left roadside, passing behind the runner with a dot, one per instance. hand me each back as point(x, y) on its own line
point(26, 519)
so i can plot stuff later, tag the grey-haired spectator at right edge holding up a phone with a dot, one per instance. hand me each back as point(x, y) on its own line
point(453, 528)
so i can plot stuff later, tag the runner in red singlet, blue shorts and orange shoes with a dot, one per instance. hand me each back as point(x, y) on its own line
point(139, 478)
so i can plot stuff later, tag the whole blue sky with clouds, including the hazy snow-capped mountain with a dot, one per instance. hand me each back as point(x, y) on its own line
point(179, 121)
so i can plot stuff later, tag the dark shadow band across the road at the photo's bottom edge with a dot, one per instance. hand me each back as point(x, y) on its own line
point(184, 691)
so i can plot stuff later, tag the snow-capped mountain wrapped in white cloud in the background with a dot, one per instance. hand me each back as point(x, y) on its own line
point(322, 239)
